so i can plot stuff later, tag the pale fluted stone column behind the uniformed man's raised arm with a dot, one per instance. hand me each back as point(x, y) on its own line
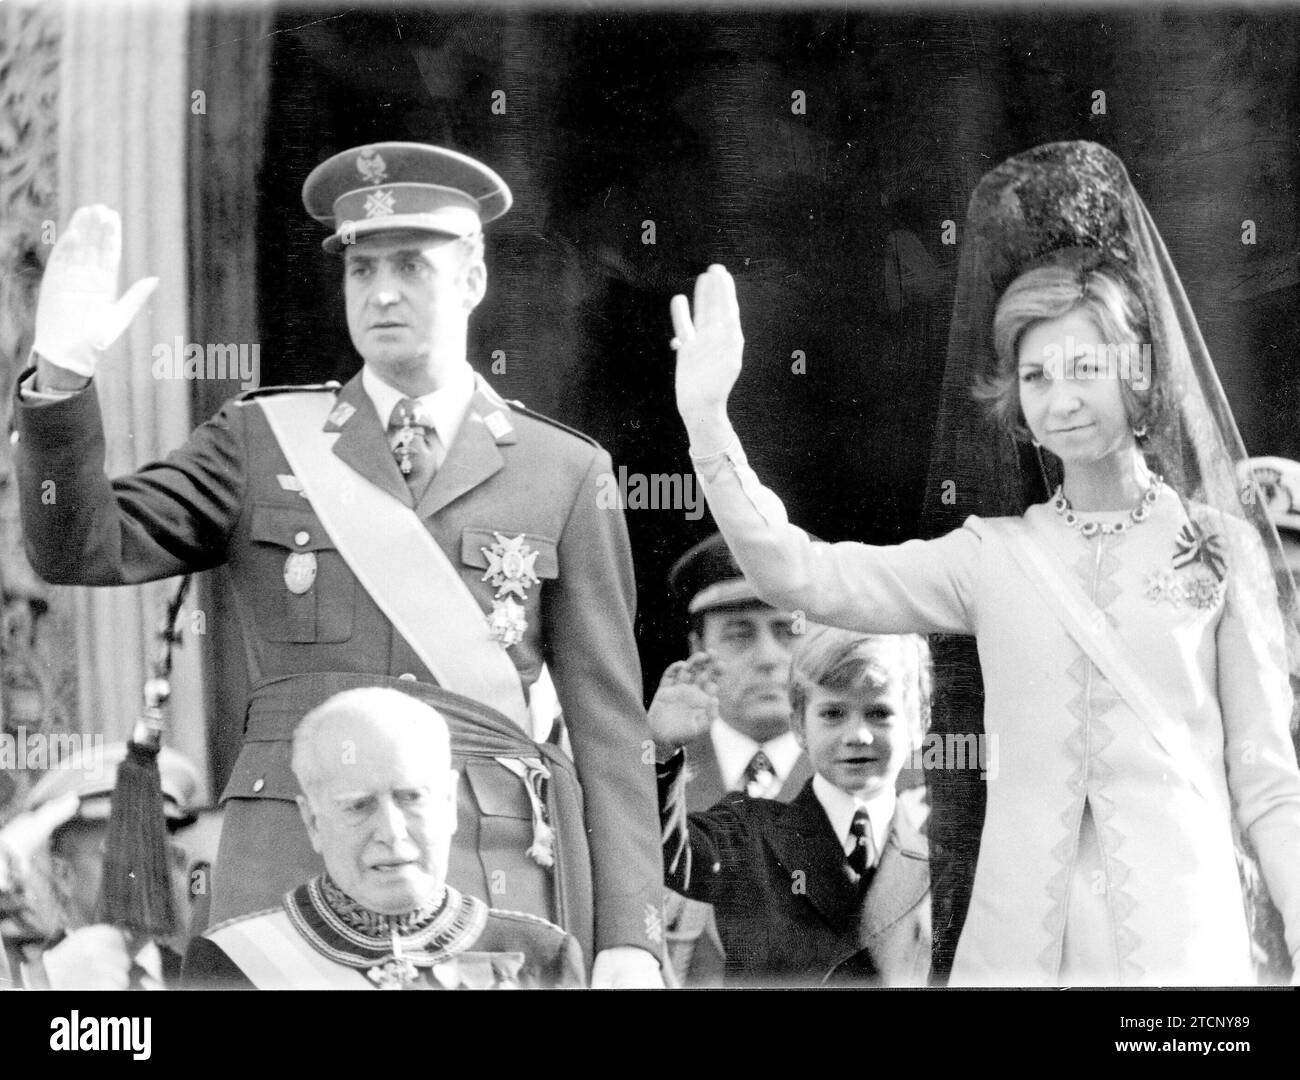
point(123, 114)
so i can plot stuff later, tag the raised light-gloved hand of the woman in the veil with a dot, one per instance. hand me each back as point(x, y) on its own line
point(709, 352)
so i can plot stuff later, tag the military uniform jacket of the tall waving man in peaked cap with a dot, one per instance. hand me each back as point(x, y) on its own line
point(228, 497)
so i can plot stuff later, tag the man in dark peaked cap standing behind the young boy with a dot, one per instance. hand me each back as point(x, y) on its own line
point(749, 747)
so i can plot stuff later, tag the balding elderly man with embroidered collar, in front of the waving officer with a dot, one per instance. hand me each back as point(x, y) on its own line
point(380, 806)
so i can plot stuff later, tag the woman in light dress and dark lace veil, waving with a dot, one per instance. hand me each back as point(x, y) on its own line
point(1130, 631)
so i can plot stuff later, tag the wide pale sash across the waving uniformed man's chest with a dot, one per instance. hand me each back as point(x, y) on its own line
point(427, 602)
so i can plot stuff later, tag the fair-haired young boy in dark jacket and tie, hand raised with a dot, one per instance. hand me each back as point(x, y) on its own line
point(835, 886)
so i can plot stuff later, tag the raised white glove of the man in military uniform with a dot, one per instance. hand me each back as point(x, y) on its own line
point(77, 314)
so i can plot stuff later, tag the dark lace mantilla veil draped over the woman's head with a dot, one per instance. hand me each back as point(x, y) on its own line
point(1055, 197)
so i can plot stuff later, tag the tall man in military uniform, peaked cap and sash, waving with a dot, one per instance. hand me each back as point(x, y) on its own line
point(409, 530)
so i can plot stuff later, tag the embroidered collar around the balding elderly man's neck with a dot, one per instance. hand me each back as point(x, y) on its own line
point(345, 932)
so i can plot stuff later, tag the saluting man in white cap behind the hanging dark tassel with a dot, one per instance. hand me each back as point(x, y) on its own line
point(66, 821)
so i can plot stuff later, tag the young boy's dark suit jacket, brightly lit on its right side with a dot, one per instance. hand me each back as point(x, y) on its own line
point(787, 910)
